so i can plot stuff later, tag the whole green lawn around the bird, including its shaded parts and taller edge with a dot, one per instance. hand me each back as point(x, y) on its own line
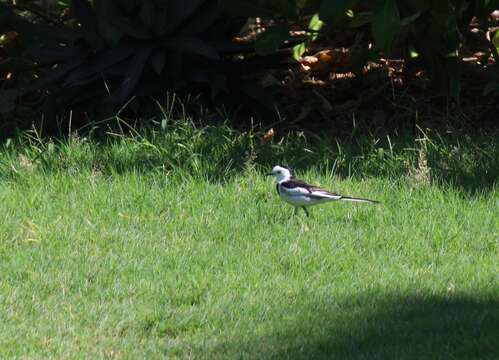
point(173, 244)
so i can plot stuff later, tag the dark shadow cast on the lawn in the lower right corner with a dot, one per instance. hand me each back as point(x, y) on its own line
point(395, 328)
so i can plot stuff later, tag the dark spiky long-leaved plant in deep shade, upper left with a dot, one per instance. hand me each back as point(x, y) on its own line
point(116, 49)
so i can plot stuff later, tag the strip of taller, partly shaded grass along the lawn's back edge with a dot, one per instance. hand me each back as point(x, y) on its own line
point(217, 153)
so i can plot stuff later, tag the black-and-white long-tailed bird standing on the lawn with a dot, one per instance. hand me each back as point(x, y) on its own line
point(301, 195)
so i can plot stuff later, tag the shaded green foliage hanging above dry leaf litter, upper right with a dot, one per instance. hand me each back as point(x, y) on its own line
point(431, 29)
